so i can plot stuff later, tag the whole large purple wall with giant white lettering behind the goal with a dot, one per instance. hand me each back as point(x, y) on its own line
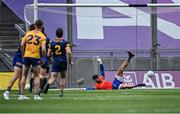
point(119, 31)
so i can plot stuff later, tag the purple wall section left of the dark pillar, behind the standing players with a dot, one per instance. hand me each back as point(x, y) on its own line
point(51, 20)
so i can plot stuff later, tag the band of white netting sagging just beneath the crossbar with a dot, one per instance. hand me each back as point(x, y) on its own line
point(29, 11)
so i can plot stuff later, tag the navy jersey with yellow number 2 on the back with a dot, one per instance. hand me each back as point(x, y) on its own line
point(58, 49)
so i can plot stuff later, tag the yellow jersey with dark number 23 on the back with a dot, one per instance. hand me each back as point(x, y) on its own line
point(34, 40)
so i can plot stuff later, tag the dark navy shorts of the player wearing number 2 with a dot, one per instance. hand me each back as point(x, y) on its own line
point(59, 66)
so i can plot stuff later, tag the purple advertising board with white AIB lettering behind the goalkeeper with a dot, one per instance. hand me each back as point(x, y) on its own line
point(162, 79)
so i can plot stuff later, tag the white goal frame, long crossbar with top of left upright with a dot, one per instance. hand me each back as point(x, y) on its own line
point(35, 6)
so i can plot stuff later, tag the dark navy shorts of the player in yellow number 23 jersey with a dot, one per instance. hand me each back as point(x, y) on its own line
point(31, 61)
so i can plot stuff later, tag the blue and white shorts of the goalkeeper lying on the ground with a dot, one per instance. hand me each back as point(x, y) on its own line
point(117, 82)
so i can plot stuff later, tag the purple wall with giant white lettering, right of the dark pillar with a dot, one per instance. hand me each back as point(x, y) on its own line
point(127, 36)
